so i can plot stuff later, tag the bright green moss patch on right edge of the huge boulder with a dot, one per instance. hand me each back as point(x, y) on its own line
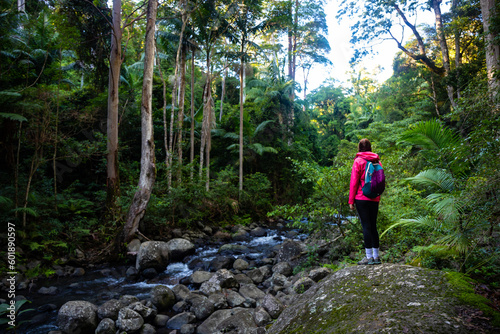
point(465, 293)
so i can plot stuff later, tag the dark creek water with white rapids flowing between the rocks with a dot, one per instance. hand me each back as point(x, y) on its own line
point(101, 284)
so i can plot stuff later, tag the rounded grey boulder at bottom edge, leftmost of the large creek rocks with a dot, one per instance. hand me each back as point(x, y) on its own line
point(77, 316)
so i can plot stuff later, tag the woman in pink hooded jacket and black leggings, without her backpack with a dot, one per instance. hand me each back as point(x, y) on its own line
point(367, 207)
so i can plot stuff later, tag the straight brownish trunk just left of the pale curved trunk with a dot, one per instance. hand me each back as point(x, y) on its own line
point(115, 62)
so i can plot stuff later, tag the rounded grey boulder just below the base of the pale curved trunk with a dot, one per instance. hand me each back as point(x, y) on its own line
point(153, 254)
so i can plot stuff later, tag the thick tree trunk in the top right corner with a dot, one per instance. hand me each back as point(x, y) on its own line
point(488, 11)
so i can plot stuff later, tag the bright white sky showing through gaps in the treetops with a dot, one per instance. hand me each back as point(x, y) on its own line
point(339, 34)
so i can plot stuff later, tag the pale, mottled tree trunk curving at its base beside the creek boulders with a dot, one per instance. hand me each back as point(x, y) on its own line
point(148, 167)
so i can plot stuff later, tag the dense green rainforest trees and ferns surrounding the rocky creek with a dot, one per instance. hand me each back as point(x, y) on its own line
point(126, 120)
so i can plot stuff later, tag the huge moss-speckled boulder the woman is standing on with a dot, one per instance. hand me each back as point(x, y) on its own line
point(386, 298)
